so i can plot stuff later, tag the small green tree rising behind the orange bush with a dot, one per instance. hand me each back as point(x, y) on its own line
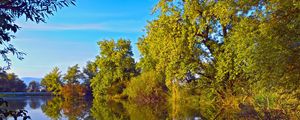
point(73, 75)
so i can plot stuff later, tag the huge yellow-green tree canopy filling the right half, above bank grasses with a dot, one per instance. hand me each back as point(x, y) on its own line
point(229, 44)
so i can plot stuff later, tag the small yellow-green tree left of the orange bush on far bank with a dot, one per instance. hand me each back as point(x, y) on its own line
point(52, 81)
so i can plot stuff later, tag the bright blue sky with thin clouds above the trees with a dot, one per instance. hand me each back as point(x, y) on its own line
point(70, 36)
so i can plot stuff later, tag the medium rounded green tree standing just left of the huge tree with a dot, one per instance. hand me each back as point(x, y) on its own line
point(115, 65)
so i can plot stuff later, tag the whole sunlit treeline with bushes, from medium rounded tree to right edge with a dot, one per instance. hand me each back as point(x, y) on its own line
point(227, 53)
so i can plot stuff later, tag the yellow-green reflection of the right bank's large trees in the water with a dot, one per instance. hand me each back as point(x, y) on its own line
point(125, 110)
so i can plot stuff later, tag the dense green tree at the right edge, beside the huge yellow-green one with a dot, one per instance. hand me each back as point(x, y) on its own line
point(264, 50)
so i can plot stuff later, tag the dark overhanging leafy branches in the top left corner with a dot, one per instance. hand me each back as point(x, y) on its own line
point(33, 10)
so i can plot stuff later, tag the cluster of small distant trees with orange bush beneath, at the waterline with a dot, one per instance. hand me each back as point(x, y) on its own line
point(72, 85)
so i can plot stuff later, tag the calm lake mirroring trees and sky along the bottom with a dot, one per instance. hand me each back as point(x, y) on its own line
point(55, 108)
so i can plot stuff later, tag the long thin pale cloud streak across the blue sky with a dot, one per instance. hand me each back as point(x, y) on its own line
point(108, 27)
